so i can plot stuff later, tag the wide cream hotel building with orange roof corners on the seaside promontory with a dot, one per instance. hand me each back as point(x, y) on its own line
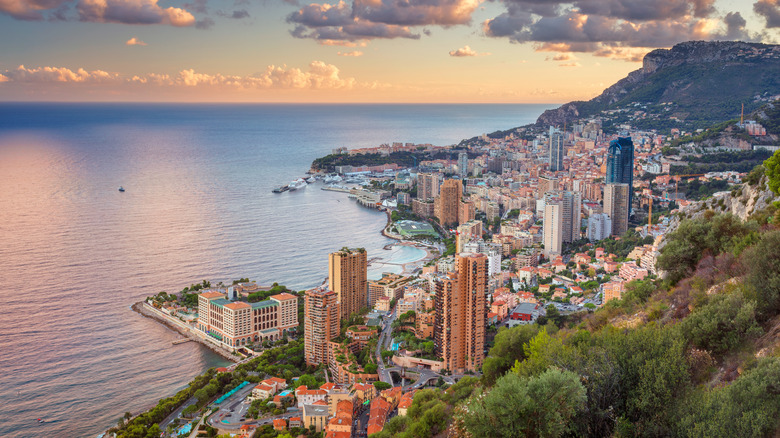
point(237, 323)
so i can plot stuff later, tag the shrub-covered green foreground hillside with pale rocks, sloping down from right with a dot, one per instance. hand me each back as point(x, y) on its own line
point(694, 354)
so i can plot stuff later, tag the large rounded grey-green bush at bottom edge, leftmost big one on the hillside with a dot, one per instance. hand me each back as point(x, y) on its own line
point(540, 406)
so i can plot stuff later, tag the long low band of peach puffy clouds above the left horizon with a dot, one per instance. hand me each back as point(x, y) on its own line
point(319, 75)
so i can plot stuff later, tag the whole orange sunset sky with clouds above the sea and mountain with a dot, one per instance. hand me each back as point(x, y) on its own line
point(404, 51)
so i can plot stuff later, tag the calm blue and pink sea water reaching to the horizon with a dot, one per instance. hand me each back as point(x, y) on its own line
point(75, 253)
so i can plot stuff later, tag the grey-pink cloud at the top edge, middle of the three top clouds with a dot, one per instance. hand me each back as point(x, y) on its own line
point(371, 19)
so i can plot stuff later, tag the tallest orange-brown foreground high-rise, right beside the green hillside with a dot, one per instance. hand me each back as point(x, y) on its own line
point(460, 314)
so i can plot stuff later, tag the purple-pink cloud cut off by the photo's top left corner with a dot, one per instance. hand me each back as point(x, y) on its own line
point(100, 11)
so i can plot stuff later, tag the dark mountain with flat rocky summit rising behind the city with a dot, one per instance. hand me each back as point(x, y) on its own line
point(695, 84)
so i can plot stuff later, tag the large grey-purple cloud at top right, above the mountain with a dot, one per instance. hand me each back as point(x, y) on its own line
point(620, 29)
